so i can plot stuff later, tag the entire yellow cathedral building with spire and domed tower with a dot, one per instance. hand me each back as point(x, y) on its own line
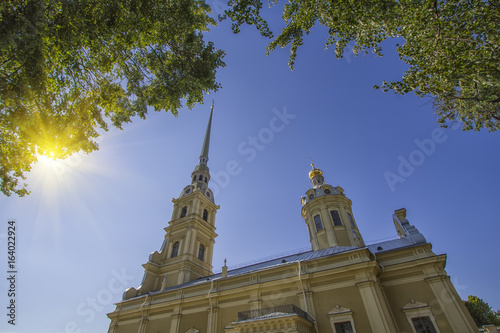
point(342, 285)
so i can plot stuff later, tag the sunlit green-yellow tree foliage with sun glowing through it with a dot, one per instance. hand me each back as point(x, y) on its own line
point(67, 68)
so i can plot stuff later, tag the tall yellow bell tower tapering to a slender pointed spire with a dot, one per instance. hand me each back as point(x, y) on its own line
point(187, 250)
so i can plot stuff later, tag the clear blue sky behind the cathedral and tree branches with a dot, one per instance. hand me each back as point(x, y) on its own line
point(91, 221)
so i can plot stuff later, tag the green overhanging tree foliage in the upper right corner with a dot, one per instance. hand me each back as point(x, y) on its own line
point(452, 47)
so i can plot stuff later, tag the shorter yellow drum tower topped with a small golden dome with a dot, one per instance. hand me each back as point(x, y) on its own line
point(328, 215)
